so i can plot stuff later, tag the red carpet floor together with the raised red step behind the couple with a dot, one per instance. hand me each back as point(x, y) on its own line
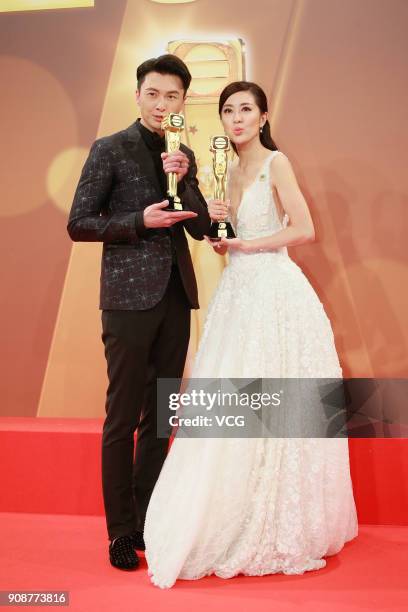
point(53, 536)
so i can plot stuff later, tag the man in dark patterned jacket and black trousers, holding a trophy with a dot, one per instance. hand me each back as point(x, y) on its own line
point(147, 289)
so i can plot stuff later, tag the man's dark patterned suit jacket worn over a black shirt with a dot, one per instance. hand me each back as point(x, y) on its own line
point(117, 182)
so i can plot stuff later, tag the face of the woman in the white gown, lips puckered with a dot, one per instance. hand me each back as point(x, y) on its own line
point(242, 118)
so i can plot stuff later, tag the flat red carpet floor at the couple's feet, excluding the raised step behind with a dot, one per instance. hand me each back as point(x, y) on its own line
point(51, 552)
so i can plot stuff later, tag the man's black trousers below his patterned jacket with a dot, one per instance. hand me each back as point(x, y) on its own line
point(140, 346)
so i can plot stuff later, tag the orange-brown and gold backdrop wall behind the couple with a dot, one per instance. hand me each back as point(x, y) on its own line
point(335, 76)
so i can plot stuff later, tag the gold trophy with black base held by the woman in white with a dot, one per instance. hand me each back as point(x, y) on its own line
point(219, 147)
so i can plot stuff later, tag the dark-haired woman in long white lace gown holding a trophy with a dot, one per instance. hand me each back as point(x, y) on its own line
point(259, 505)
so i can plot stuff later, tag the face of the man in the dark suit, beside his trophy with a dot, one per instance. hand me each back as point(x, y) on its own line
point(159, 95)
